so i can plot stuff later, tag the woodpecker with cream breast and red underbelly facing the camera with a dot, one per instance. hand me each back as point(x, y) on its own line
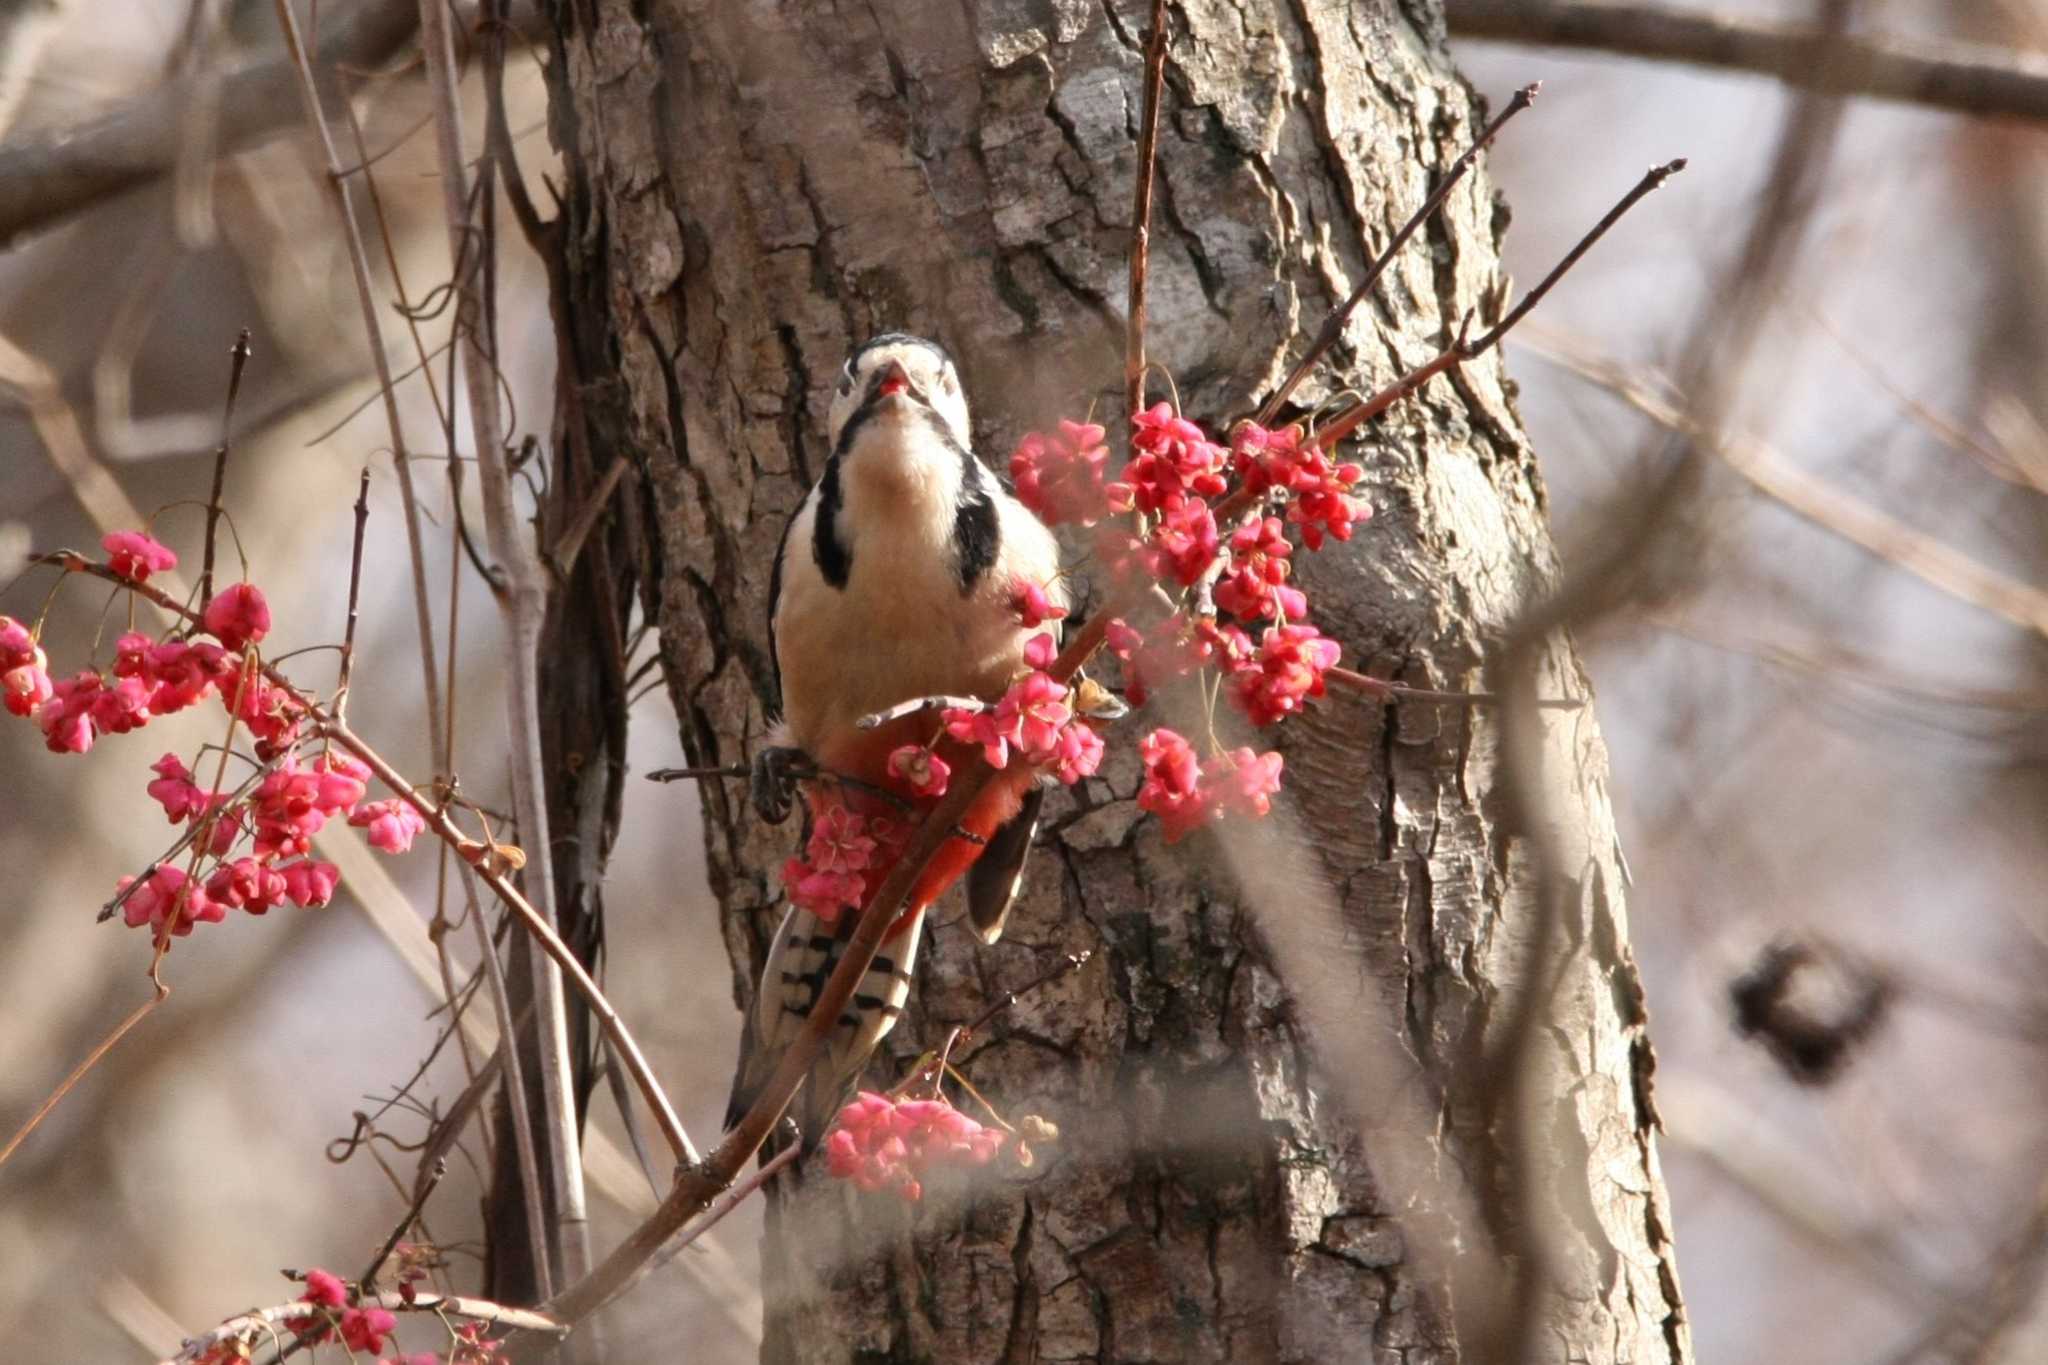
point(896, 580)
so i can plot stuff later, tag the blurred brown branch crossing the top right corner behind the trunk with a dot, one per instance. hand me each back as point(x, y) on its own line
point(1969, 79)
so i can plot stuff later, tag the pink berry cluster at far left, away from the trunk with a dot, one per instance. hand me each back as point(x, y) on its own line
point(275, 822)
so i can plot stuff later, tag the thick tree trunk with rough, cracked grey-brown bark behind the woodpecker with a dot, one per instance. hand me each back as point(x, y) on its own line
point(753, 189)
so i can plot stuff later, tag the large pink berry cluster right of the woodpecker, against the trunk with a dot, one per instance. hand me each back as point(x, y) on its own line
point(1240, 619)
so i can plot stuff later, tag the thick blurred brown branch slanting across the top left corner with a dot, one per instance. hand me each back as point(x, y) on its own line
point(54, 175)
